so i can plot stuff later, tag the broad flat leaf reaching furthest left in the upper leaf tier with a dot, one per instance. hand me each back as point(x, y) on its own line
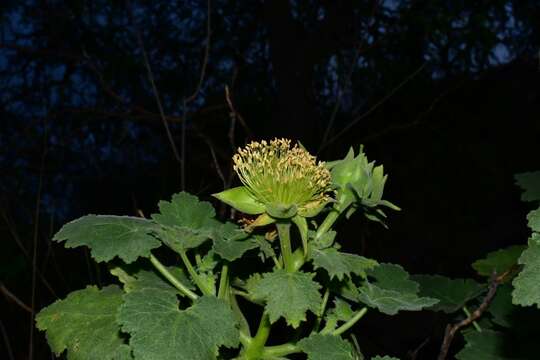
point(110, 236)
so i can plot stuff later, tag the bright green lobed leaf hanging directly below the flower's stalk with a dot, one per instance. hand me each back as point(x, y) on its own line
point(288, 295)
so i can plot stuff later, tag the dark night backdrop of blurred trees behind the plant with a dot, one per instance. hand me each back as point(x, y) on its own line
point(445, 94)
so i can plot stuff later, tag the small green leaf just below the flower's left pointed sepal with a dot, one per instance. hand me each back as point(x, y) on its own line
point(231, 242)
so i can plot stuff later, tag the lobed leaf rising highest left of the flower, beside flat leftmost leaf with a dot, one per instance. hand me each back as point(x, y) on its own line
point(186, 222)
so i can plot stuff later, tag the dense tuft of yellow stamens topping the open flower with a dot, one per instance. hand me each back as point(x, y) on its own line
point(275, 173)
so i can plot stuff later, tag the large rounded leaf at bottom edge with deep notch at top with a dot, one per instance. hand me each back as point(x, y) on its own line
point(160, 330)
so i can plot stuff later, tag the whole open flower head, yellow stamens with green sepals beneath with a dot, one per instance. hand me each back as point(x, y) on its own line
point(279, 179)
